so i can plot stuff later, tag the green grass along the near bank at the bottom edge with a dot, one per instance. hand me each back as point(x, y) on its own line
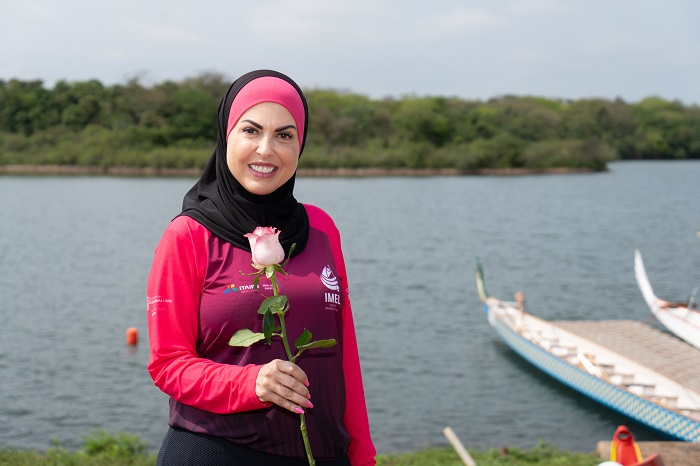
point(104, 449)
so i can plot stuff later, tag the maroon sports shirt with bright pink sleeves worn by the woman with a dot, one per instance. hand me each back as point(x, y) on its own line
point(199, 295)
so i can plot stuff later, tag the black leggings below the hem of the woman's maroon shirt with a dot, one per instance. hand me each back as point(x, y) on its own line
point(184, 448)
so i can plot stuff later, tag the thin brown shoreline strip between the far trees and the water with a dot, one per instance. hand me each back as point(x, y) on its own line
point(302, 172)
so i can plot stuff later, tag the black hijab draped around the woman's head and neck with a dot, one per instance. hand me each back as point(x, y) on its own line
point(220, 203)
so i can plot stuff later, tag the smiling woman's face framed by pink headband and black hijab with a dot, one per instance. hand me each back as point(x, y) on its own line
point(263, 148)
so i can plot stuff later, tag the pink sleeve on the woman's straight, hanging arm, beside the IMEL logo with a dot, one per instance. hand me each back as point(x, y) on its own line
point(362, 451)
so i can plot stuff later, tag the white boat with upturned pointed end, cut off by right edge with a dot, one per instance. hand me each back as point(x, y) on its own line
point(682, 319)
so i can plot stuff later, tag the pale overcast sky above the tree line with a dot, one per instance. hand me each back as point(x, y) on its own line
point(560, 49)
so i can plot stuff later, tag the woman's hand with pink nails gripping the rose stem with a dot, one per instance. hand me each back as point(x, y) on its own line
point(284, 384)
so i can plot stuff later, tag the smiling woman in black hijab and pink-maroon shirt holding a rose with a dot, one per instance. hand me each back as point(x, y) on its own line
point(231, 405)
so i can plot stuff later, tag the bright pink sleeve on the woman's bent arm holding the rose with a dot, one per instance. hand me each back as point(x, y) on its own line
point(173, 295)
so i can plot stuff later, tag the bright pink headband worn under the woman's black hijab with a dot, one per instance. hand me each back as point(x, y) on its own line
point(267, 89)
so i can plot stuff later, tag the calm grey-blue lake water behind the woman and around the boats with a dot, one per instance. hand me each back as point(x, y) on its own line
point(75, 254)
